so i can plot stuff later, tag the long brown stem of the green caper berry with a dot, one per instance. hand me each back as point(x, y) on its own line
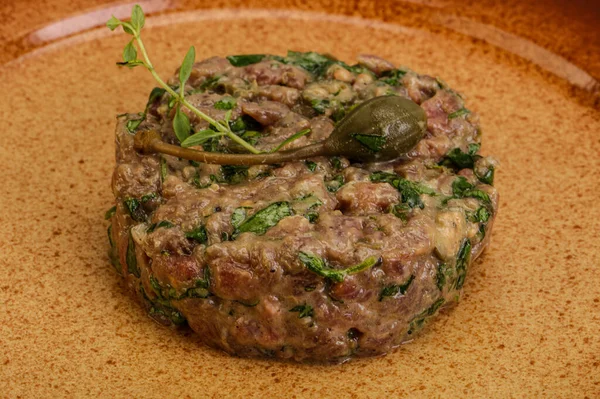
point(149, 141)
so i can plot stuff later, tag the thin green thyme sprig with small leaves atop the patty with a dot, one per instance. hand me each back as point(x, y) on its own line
point(181, 122)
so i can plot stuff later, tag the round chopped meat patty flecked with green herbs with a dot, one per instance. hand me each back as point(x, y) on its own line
point(315, 260)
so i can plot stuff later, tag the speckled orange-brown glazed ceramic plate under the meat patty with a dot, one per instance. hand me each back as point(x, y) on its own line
point(529, 320)
